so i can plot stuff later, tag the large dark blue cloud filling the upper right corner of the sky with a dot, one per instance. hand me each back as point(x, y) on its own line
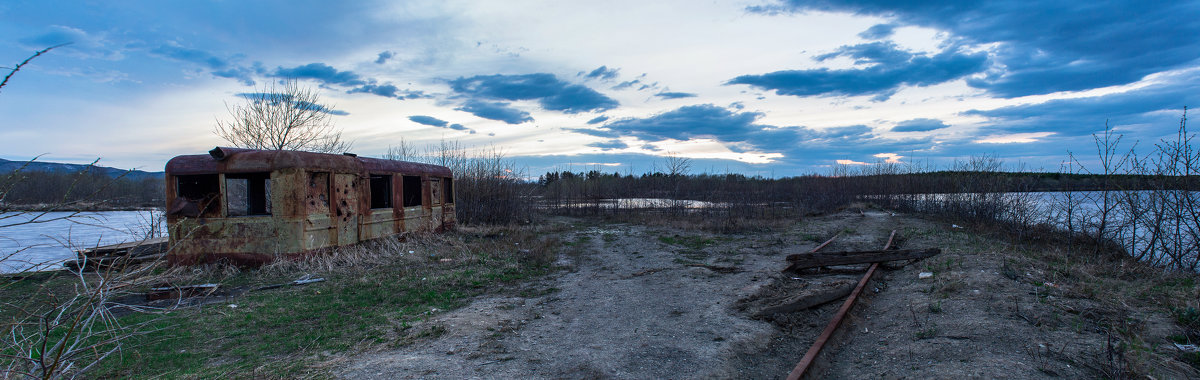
point(1048, 46)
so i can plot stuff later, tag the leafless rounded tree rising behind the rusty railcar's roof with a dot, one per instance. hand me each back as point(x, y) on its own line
point(283, 117)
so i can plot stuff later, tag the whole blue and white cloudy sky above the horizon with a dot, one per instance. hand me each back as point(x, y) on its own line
point(772, 88)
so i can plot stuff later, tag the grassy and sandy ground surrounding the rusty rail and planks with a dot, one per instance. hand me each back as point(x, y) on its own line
point(647, 298)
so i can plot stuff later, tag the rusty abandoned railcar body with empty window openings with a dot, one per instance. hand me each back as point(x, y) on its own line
point(253, 207)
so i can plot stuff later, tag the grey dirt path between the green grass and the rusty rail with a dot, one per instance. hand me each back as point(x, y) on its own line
point(629, 309)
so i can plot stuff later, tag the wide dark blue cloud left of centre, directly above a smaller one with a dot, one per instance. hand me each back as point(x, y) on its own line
point(550, 93)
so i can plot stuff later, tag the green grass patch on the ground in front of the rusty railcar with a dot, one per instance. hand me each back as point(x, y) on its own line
point(289, 333)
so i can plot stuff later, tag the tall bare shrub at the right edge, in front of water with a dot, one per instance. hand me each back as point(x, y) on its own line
point(1155, 221)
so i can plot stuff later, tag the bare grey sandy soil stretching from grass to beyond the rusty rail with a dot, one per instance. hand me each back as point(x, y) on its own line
point(658, 303)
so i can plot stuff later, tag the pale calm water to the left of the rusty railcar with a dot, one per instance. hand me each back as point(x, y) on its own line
point(47, 245)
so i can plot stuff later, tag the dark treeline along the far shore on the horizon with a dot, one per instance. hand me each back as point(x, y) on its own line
point(103, 189)
